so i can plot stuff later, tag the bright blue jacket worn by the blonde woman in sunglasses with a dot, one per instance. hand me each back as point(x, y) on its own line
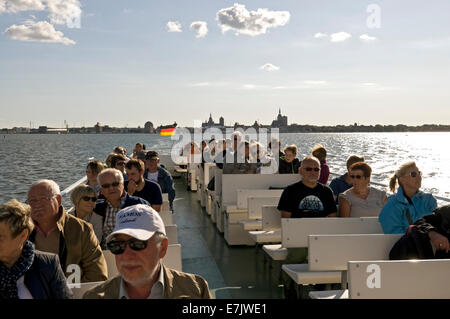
point(393, 218)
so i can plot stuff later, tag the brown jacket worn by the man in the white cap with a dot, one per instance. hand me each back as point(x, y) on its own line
point(177, 285)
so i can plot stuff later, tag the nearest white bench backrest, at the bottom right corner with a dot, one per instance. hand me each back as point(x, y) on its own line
point(406, 279)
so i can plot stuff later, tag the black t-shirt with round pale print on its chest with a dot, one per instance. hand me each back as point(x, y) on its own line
point(302, 201)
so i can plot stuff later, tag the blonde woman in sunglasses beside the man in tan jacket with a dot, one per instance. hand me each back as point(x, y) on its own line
point(83, 198)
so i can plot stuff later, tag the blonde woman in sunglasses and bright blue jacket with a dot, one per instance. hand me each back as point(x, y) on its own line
point(409, 203)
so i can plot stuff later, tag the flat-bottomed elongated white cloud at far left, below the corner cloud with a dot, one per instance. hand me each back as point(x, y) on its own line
point(41, 31)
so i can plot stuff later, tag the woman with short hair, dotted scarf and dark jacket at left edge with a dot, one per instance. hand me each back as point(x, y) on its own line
point(26, 273)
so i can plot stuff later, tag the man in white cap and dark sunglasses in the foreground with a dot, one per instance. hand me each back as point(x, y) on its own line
point(139, 242)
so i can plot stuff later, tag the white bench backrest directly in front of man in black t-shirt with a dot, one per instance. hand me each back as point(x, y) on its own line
point(295, 231)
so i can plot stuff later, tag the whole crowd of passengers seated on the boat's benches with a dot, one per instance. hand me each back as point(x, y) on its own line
point(117, 210)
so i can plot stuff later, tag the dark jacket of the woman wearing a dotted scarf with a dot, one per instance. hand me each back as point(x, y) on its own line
point(45, 278)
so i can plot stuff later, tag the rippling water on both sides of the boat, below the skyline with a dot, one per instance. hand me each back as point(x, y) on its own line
point(63, 158)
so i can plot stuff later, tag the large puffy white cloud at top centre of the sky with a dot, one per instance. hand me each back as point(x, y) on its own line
point(252, 23)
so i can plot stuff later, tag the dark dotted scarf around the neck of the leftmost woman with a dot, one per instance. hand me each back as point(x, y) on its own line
point(9, 276)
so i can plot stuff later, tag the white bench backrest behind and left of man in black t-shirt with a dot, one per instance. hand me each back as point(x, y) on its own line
point(232, 182)
